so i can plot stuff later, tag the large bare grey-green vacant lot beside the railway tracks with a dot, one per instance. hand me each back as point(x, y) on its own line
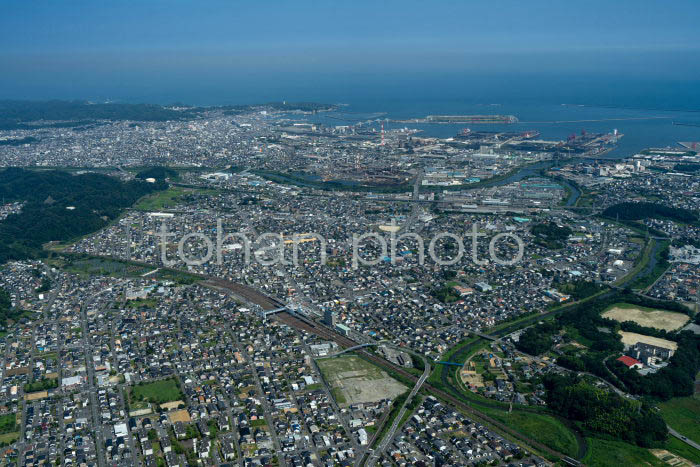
point(354, 380)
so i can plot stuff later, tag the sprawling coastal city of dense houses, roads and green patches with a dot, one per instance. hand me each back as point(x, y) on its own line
point(295, 292)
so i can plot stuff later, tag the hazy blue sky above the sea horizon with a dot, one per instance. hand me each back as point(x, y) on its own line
point(85, 48)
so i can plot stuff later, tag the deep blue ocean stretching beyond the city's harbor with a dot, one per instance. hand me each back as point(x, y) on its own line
point(556, 105)
